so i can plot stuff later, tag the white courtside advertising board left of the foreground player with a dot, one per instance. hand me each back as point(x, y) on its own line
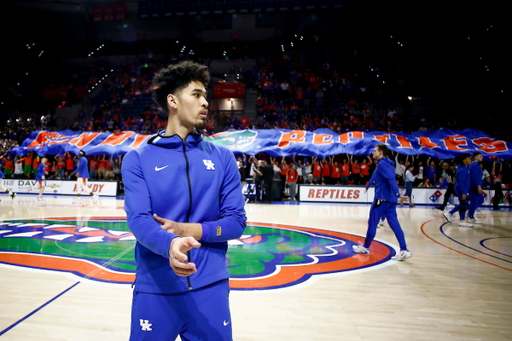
point(102, 188)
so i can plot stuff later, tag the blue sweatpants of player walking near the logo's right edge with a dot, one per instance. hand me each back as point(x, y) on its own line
point(385, 209)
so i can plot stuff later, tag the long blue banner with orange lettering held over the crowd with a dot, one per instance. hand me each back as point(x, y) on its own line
point(441, 144)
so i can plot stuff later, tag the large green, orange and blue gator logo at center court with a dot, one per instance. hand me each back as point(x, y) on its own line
point(267, 256)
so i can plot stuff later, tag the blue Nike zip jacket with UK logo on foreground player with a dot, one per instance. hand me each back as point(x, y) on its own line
point(191, 181)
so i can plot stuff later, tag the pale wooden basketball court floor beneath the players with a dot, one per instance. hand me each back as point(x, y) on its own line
point(456, 286)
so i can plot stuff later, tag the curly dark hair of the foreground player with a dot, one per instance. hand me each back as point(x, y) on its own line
point(176, 77)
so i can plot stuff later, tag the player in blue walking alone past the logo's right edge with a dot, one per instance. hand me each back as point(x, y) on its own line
point(384, 204)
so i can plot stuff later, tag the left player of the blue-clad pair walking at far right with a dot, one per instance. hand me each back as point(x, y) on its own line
point(462, 184)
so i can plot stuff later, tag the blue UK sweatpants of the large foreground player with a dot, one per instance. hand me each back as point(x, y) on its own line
point(201, 314)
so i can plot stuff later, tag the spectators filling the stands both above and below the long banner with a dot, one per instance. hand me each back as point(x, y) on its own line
point(294, 91)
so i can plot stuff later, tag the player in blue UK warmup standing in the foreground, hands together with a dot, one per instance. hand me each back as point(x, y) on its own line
point(183, 201)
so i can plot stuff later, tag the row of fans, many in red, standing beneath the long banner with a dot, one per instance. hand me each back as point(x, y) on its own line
point(343, 169)
